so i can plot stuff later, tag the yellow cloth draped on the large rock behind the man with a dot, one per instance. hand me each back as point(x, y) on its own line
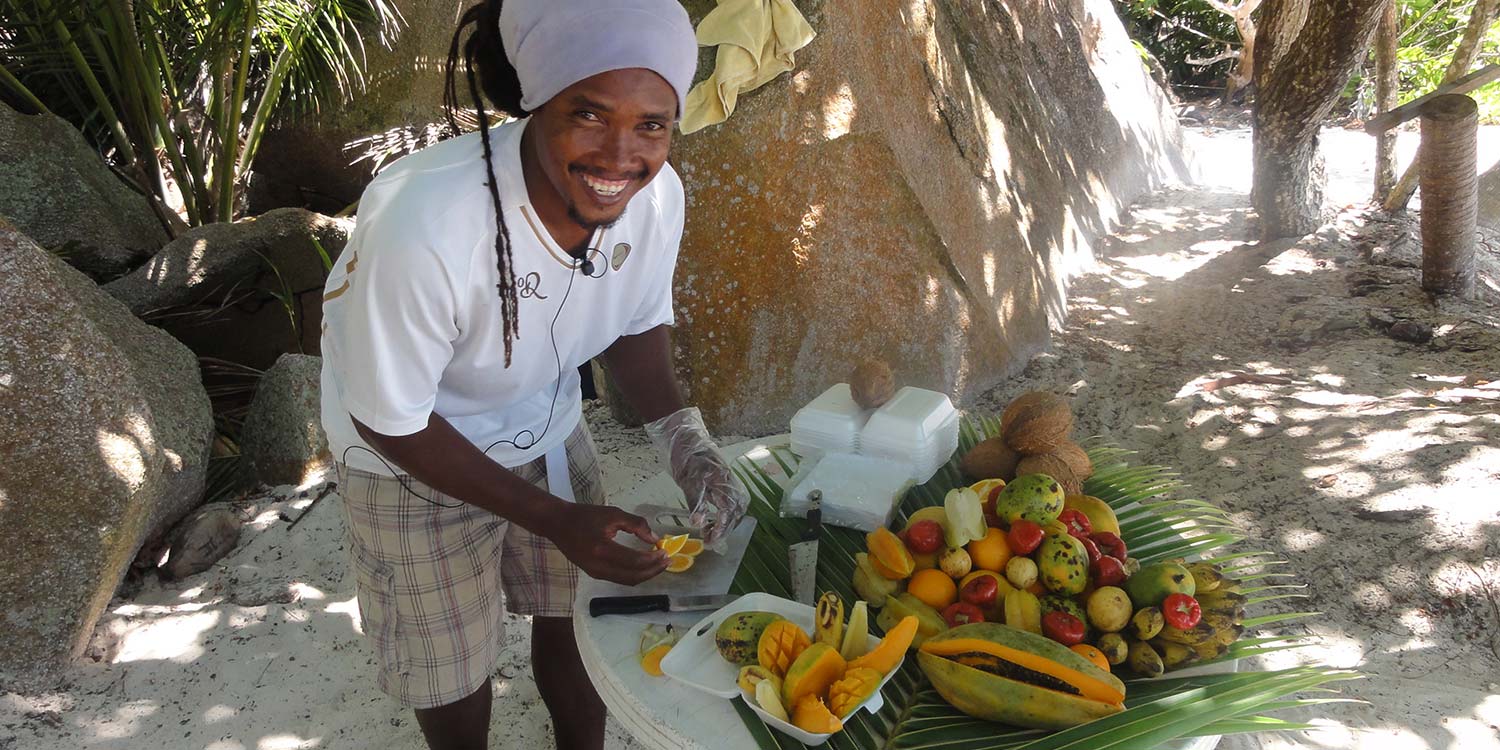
point(757, 40)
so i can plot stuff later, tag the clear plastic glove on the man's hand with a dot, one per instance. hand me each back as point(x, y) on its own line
point(716, 500)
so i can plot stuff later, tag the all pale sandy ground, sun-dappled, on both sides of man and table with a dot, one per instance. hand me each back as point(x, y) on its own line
point(1370, 464)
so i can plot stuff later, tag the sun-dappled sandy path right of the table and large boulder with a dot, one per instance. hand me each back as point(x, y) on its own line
point(1369, 464)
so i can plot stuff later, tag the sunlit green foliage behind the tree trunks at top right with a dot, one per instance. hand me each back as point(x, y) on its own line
point(1181, 31)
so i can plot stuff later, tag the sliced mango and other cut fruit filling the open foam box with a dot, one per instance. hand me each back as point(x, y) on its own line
point(812, 682)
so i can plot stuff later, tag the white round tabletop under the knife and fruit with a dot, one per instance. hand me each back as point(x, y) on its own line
point(659, 712)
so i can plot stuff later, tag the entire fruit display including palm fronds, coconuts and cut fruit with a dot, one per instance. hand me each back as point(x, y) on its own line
point(1024, 601)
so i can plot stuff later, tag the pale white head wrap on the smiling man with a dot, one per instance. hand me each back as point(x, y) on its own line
point(556, 44)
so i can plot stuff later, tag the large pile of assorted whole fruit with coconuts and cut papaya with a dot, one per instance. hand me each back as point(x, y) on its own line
point(1025, 596)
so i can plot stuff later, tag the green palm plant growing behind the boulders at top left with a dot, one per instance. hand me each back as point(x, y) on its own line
point(181, 92)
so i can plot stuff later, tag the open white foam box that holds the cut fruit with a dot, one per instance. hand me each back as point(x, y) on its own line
point(697, 662)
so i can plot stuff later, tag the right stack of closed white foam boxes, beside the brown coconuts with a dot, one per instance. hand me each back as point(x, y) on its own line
point(917, 428)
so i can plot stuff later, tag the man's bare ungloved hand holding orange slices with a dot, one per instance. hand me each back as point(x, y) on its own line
point(586, 535)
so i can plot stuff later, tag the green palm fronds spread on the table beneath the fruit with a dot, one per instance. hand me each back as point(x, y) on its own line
point(1154, 526)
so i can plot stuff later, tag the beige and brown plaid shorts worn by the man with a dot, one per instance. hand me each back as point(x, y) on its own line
point(431, 578)
